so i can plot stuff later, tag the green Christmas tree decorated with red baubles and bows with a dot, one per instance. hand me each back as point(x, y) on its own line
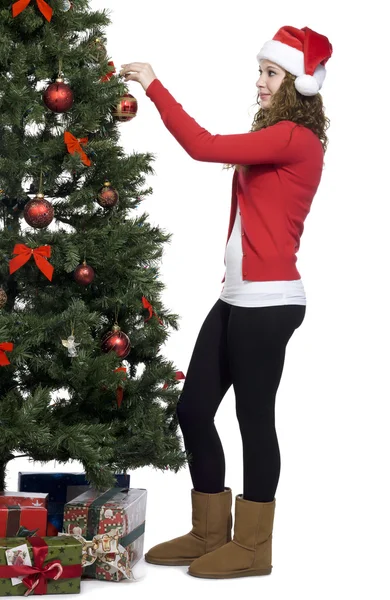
point(81, 319)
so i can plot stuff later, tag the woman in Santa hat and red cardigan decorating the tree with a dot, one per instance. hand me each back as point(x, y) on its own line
point(243, 339)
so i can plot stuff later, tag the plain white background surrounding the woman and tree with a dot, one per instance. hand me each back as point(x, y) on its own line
point(331, 531)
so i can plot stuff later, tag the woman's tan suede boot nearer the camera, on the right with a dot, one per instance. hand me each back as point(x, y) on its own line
point(250, 551)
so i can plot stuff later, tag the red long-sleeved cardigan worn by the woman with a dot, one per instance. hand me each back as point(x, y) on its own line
point(274, 196)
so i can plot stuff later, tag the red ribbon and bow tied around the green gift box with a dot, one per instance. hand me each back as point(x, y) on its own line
point(36, 577)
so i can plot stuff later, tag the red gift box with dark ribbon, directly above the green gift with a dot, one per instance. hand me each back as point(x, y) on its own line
point(22, 521)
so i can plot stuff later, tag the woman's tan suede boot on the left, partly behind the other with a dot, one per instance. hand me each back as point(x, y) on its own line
point(211, 529)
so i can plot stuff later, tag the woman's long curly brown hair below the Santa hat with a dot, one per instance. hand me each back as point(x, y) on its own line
point(289, 105)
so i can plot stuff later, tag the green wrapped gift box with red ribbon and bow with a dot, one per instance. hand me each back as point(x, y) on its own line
point(55, 565)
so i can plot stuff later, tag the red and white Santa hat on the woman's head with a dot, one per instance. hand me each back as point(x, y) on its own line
point(302, 52)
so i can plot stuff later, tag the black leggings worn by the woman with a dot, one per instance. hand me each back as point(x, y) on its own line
point(244, 347)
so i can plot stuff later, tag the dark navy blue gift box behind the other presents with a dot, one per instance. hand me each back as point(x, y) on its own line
point(61, 488)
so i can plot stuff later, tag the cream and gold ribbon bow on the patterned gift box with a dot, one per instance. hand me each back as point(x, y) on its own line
point(106, 548)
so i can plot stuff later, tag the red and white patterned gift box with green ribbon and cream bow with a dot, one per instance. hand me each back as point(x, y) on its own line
point(112, 526)
